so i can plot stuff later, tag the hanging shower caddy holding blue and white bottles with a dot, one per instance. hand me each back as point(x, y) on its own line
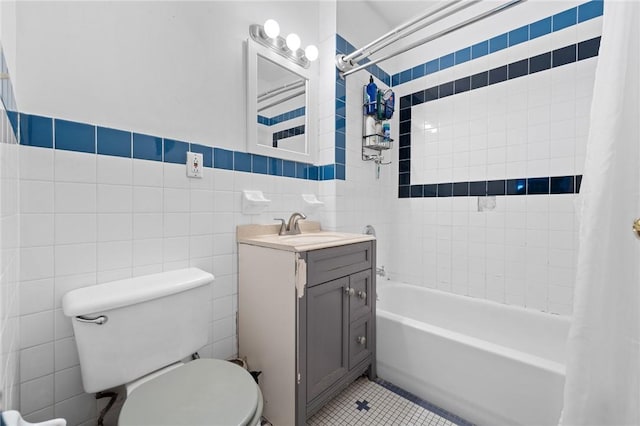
point(376, 136)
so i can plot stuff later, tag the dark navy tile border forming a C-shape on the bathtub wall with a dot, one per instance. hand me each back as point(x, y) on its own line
point(521, 186)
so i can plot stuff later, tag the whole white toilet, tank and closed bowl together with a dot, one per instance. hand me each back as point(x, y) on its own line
point(134, 332)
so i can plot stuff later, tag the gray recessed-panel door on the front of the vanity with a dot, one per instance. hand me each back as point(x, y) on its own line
point(327, 335)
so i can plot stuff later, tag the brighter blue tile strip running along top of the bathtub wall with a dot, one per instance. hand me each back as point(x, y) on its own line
point(557, 22)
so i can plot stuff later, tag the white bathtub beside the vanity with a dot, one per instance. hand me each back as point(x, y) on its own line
point(489, 363)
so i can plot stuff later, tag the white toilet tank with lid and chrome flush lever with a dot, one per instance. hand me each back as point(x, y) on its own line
point(151, 321)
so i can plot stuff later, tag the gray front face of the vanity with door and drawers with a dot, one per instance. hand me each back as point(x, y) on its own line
point(337, 331)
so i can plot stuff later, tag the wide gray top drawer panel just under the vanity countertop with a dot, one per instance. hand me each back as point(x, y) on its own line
point(328, 264)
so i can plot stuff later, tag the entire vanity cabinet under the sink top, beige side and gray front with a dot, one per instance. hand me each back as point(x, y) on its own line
point(306, 319)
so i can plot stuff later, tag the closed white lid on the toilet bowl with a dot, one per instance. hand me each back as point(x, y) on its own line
point(201, 392)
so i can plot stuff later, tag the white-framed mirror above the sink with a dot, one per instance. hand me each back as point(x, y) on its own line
point(279, 122)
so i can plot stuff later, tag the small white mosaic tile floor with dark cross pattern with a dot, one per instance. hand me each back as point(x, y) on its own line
point(368, 403)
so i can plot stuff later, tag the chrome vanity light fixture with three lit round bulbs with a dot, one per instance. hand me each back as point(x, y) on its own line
point(269, 35)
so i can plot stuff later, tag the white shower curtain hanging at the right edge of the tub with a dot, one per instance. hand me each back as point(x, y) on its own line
point(603, 354)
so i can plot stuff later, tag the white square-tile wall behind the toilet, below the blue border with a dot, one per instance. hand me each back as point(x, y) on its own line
point(114, 219)
